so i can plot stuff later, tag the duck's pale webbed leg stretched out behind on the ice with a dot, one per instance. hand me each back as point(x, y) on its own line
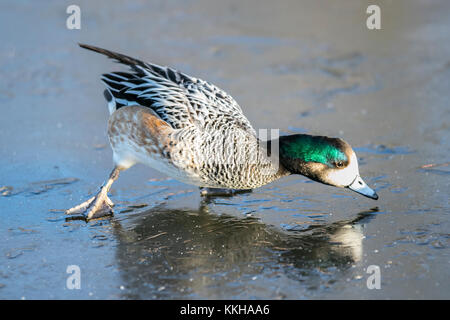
point(100, 204)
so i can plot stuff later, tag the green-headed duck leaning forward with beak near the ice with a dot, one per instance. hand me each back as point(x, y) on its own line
point(196, 133)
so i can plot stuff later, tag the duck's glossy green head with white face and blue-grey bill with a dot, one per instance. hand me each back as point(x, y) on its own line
point(327, 160)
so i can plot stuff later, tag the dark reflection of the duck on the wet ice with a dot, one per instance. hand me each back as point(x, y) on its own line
point(174, 254)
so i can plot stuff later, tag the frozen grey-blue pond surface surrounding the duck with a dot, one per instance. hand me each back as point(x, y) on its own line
point(301, 66)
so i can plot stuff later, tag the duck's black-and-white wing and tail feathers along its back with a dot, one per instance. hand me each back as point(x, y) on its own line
point(177, 98)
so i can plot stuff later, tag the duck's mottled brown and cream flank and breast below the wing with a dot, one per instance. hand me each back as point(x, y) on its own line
point(137, 133)
